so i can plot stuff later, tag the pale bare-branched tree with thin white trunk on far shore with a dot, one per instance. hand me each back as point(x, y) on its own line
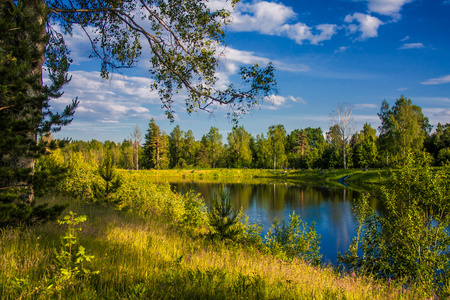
point(342, 117)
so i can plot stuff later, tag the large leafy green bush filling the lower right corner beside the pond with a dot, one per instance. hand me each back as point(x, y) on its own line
point(410, 241)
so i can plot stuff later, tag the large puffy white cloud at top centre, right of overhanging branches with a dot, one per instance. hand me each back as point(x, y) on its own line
point(272, 19)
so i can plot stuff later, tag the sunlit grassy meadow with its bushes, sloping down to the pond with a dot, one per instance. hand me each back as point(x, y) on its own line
point(139, 240)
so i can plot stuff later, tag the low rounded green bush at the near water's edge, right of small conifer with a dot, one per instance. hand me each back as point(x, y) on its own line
point(294, 240)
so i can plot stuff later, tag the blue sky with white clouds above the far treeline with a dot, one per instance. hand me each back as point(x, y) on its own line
point(326, 52)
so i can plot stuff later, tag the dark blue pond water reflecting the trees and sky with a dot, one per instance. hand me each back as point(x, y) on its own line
point(330, 208)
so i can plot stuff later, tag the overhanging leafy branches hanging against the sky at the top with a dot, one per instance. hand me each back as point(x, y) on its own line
point(182, 40)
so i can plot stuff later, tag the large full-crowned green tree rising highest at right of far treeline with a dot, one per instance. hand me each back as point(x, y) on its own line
point(403, 128)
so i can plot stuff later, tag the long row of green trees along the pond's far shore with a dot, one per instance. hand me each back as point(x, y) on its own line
point(403, 128)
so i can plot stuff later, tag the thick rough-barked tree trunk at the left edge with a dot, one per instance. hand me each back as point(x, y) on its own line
point(26, 97)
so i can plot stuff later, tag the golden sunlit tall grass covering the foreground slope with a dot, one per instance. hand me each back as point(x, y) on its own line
point(143, 258)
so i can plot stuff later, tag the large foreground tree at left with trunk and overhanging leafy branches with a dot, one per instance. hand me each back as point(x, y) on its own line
point(182, 38)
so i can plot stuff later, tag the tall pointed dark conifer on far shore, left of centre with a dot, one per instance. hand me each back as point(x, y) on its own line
point(155, 148)
